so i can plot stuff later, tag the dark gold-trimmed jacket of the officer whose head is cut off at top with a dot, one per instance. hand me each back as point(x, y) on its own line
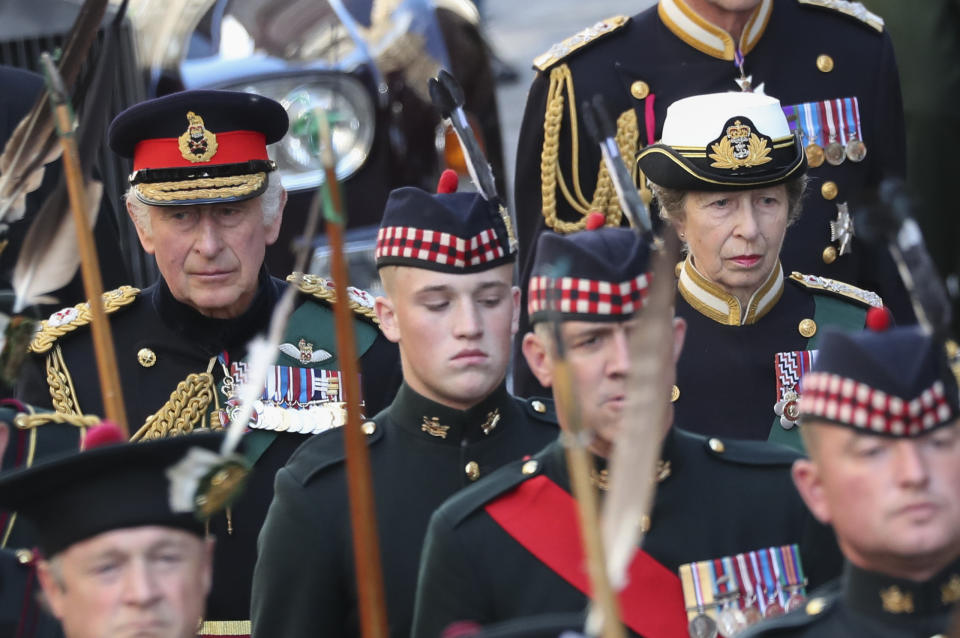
point(641, 66)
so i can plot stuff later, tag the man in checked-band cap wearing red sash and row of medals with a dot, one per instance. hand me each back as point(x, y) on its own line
point(509, 547)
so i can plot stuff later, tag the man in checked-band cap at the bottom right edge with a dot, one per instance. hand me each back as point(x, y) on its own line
point(879, 415)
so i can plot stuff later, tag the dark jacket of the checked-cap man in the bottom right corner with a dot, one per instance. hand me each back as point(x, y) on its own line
point(870, 605)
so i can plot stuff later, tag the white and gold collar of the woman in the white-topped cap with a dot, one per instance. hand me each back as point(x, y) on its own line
point(698, 291)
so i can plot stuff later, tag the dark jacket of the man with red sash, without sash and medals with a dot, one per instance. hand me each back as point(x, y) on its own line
point(720, 498)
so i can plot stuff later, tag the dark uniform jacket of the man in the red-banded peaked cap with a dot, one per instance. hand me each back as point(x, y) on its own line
point(177, 369)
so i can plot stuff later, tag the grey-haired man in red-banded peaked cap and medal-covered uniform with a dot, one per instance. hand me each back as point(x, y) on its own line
point(207, 201)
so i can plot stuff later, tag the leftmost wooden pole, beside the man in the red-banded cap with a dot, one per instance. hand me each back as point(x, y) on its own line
point(104, 351)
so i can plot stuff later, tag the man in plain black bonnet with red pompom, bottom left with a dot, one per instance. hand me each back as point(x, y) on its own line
point(116, 559)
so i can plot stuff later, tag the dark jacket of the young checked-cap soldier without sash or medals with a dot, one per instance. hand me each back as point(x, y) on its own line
point(421, 452)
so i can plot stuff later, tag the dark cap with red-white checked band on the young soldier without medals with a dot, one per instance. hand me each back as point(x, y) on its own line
point(447, 232)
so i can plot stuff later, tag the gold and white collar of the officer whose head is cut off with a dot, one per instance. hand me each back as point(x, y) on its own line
point(752, 31)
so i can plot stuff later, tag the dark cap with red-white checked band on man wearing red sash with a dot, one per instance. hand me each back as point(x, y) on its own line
point(591, 275)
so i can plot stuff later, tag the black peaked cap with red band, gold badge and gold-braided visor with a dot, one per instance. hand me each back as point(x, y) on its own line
point(199, 147)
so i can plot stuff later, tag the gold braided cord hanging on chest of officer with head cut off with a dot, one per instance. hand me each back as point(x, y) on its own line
point(604, 197)
